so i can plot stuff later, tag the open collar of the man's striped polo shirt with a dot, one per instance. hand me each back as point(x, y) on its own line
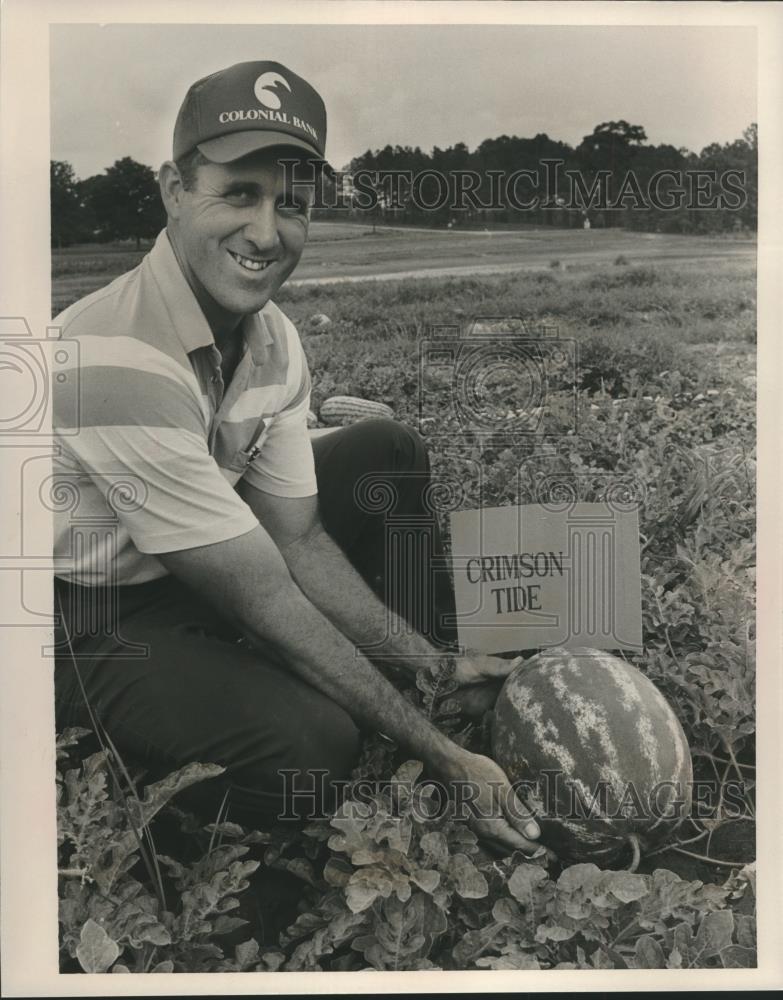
point(185, 313)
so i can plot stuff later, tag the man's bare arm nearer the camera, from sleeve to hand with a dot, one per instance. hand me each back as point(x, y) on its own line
point(247, 580)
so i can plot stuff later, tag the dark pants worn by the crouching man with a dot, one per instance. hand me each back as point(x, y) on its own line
point(199, 695)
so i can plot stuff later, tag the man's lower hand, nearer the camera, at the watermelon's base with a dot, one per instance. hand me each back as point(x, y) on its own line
point(498, 817)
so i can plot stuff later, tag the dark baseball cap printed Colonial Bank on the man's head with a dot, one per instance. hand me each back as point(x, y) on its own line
point(247, 107)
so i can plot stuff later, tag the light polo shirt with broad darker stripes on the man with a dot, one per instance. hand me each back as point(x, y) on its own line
point(149, 457)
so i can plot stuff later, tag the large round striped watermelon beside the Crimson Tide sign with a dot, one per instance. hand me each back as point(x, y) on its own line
point(595, 749)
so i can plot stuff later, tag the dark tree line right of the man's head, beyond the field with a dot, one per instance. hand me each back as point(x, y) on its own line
point(613, 177)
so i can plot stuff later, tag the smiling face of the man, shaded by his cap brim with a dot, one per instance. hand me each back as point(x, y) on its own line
point(240, 231)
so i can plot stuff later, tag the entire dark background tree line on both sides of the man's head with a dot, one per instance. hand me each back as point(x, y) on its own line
point(614, 163)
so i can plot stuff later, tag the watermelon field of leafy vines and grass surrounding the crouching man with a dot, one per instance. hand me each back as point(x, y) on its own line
point(665, 329)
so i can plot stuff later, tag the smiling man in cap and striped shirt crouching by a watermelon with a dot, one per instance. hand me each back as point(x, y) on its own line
point(191, 443)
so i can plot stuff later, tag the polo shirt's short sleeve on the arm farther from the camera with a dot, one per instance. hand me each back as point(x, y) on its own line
point(285, 466)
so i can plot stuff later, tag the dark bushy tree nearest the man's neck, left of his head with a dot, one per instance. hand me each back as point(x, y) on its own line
point(125, 200)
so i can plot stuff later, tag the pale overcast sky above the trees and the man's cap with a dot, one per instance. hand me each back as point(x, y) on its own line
point(116, 89)
